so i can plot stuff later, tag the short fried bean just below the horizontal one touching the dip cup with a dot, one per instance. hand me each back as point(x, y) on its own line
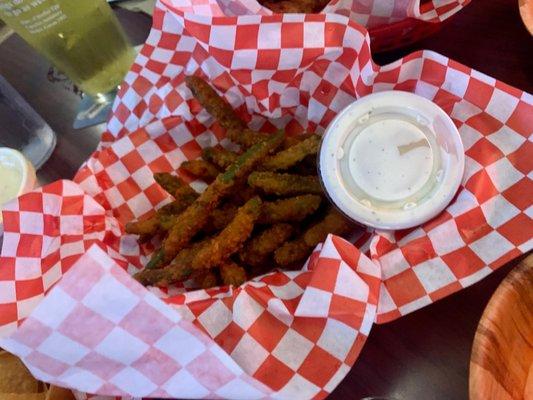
point(292, 209)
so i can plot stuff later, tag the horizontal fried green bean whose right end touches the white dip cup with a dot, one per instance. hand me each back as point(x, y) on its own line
point(284, 184)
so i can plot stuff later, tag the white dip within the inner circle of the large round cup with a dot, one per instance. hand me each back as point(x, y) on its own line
point(390, 160)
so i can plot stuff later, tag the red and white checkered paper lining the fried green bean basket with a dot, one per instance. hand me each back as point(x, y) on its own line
point(287, 334)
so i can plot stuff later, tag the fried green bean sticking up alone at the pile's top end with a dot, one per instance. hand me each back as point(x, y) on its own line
point(213, 103)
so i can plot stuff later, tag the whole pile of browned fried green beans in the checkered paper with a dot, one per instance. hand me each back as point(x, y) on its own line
point(233, 229)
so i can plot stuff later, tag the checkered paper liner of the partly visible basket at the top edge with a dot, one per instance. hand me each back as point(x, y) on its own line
point(369, 13)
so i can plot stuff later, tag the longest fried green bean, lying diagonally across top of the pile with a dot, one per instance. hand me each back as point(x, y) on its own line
point(194, 218)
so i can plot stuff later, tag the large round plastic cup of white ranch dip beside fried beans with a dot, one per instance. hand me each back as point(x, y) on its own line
point(391, 160)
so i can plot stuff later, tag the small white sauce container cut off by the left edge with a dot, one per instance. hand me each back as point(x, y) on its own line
point(21, 173)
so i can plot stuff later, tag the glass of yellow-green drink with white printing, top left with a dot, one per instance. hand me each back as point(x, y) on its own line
point(82, 38)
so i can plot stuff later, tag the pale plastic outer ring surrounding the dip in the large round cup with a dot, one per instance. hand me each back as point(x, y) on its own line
point(434, 120)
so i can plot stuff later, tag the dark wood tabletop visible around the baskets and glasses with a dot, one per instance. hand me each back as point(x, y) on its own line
point(422, 356)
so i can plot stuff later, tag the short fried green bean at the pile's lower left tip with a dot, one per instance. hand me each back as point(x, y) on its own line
point(178, 270)
